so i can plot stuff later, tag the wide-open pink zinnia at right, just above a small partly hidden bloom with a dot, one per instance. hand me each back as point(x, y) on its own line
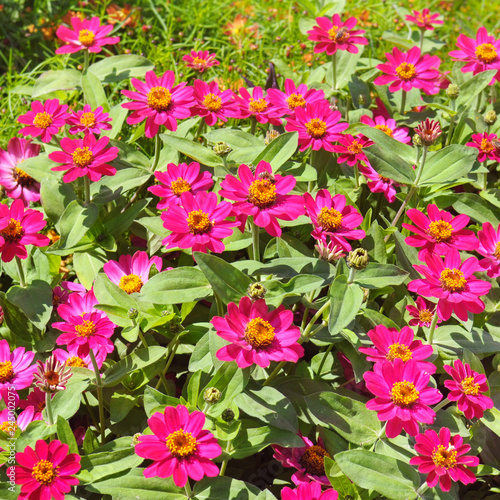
point(453, 283)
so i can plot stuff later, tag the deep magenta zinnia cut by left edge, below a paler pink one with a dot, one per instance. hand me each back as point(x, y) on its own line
point(19, 227)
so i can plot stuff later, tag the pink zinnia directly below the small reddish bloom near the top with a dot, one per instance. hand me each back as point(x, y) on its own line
point(212, 104)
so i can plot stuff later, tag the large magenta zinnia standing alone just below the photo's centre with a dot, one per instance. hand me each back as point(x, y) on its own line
point(257, 335)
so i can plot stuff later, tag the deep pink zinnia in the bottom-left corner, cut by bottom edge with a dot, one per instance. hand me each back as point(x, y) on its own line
point(47, 471)
